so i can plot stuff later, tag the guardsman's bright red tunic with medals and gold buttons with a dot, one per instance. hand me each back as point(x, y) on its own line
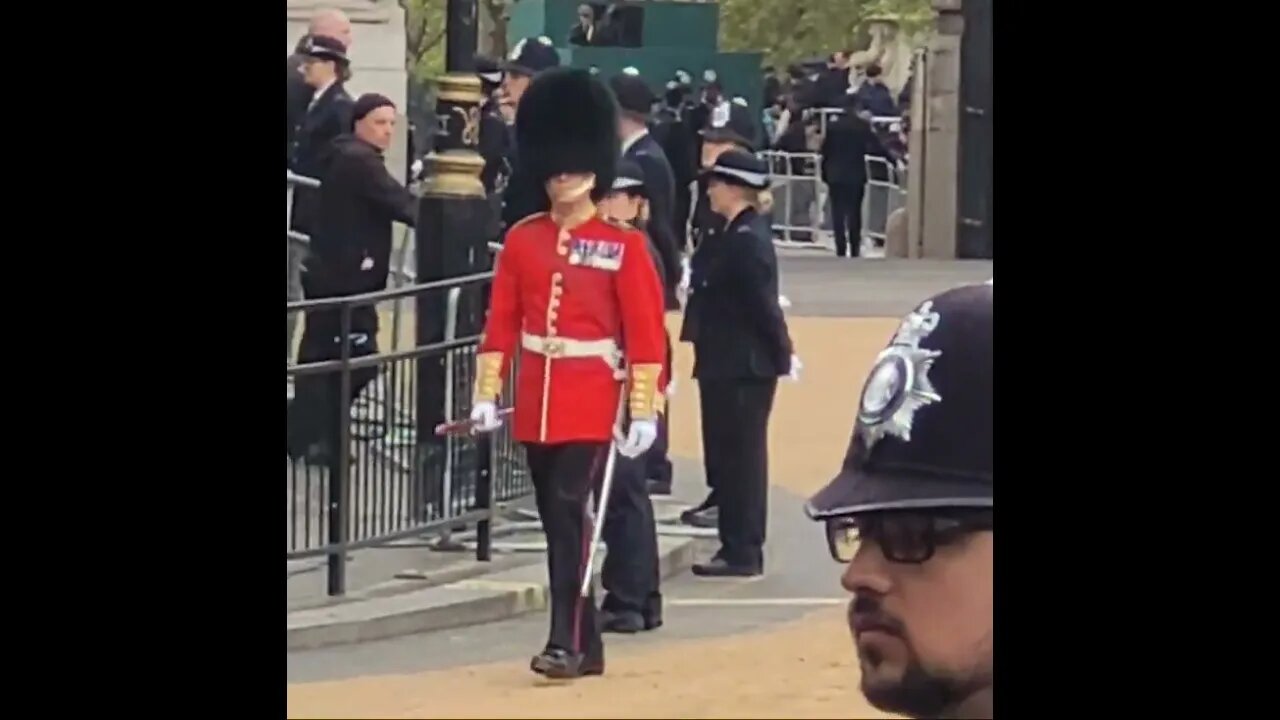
point(595, 282)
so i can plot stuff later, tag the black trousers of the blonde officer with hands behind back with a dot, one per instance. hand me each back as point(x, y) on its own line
point(735, 446)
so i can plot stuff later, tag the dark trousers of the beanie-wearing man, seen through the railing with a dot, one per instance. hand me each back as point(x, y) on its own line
point(316, 416)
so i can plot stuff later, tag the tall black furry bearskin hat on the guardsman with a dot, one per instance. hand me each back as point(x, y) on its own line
point(568, 122)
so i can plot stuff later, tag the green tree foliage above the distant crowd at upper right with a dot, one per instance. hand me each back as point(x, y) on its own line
point(788, 31)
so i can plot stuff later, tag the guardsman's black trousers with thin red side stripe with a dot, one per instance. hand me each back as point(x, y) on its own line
point(564, 479)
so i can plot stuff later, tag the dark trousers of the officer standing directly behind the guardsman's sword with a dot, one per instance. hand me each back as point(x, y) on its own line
point(630, 573)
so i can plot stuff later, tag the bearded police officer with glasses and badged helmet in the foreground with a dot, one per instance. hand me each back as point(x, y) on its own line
point(912, 513)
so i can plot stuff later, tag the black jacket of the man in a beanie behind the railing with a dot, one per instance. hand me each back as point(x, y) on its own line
point(359, 200)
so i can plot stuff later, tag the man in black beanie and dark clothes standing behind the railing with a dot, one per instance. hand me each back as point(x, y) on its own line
point(351, 249)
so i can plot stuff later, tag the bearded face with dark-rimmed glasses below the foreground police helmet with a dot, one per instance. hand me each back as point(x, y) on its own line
point(924, 631)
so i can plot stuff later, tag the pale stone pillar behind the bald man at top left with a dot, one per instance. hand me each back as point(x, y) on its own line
point(377, 57)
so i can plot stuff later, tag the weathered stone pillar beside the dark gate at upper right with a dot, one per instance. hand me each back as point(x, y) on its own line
point(934, 200)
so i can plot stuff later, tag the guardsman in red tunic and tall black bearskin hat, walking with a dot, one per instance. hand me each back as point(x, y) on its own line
point(579, 299)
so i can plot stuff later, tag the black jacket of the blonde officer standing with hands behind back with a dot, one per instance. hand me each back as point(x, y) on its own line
point(734, 318)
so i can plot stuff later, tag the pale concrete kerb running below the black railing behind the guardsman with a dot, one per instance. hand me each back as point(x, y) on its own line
point(497, 596)
